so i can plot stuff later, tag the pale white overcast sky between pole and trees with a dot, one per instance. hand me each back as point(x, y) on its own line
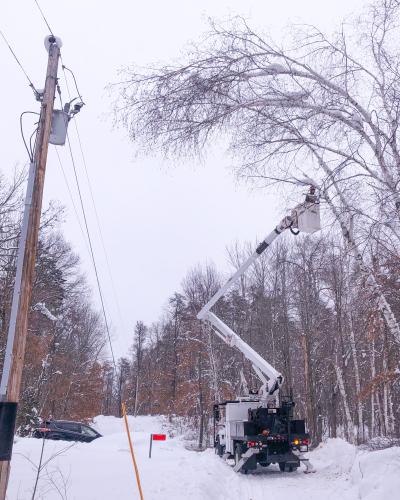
point(157, 220)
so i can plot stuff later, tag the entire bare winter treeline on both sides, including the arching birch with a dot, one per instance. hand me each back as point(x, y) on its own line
point(319, 111)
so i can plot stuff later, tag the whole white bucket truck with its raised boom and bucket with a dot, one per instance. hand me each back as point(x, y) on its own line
point(259, 428)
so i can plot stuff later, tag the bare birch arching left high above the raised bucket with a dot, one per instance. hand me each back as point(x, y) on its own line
point(323, 111)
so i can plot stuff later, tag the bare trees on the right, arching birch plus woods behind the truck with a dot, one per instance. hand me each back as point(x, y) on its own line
point(309, 108)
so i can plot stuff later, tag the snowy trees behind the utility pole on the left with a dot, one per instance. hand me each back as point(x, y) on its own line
point(63, 372)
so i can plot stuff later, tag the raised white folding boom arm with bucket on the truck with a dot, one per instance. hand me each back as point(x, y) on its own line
point(304, 217)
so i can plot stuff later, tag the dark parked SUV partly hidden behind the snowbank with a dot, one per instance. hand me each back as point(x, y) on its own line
point(66, 431)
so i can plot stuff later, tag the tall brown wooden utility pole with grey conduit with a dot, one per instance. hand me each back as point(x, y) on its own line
point(26, 264)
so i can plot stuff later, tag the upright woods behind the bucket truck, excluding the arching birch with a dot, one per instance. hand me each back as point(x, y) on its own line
point(306, 309)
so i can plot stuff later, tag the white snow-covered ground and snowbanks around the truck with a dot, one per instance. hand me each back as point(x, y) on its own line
point(102, 470)
